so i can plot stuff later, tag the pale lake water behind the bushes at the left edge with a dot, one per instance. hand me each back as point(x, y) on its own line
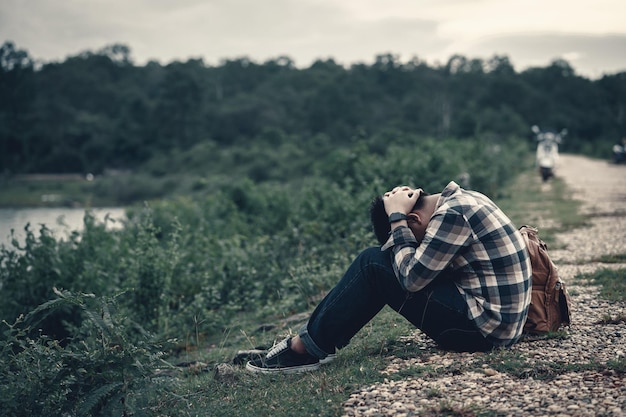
point(62, 221)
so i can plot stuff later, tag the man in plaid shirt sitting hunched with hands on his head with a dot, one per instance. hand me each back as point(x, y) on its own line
point(452, 263)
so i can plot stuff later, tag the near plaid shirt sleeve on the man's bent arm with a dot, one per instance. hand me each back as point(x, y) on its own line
point(415, 264)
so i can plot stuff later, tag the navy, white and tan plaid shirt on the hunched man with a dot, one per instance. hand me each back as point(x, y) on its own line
point(471, 236)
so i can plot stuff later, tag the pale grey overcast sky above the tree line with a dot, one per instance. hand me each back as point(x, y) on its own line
point(589, 34)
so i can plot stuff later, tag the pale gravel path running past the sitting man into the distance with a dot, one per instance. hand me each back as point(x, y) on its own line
point(460, 384)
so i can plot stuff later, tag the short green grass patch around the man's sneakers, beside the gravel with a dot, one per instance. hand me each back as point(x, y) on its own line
point(318, 393)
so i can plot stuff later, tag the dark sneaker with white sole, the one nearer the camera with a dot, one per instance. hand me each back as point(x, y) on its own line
point(281, 359)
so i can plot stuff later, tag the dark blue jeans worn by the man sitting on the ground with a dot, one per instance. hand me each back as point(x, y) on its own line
point(368, 285)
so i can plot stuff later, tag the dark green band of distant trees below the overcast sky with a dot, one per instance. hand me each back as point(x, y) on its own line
point(97, 110)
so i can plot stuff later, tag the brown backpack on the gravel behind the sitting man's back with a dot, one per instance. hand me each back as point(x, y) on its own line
point(550, 303)
